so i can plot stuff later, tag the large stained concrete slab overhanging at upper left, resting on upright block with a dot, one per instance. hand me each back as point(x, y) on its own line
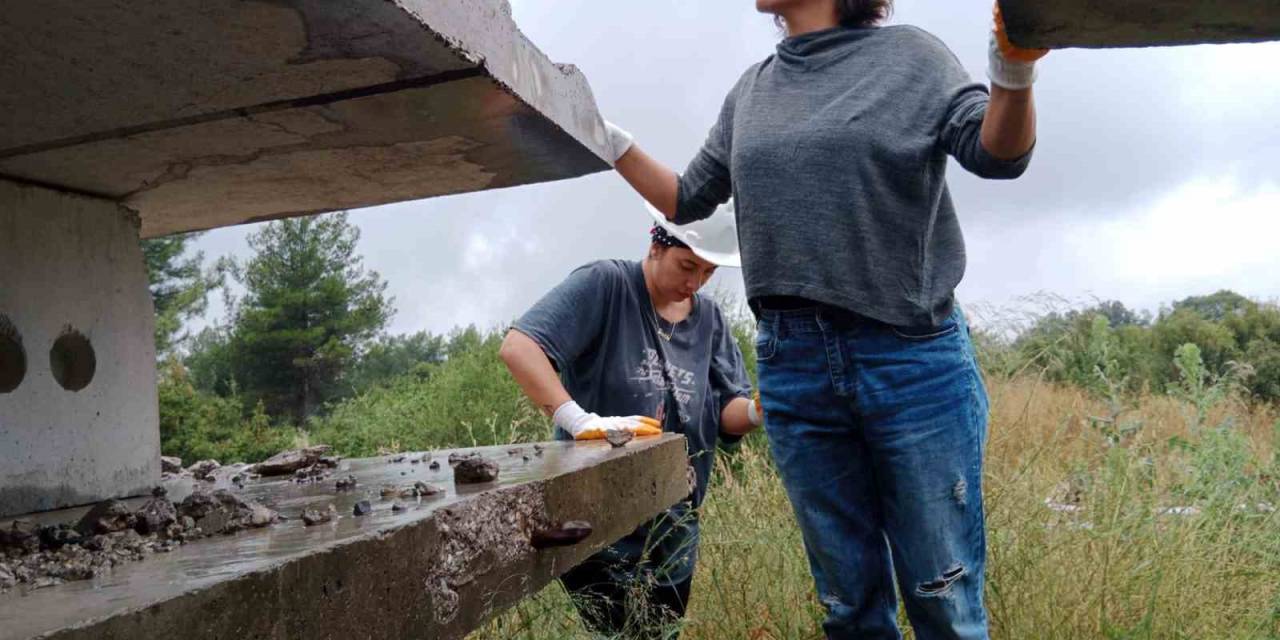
point(211, 113)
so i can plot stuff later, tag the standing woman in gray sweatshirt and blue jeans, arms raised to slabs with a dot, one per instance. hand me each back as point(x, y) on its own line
point(835, 150)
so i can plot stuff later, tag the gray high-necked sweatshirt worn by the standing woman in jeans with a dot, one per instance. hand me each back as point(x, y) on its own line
point(835, 152)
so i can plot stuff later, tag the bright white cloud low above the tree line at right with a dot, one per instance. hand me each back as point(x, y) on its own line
point(1204, 236)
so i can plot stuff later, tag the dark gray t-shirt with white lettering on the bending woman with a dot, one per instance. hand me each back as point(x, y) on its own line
point(598, 331)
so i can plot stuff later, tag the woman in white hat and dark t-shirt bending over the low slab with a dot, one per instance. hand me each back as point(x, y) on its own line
point(632, 345)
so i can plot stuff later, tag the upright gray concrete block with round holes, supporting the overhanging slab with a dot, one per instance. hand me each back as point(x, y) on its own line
point(80, 420)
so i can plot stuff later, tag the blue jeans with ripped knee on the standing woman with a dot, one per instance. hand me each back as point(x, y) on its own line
point(879, 436)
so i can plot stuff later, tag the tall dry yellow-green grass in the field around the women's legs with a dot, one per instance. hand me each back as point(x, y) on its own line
point(1164, 533)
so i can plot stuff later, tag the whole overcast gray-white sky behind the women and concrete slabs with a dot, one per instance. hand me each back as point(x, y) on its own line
point(1156, 176)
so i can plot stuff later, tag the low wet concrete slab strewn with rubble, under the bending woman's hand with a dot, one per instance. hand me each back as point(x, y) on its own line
point(436, 570)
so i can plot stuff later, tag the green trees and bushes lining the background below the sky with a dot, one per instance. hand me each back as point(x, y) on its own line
point(303, 354)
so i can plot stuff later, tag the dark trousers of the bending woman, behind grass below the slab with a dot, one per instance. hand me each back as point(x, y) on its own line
point(636, 609)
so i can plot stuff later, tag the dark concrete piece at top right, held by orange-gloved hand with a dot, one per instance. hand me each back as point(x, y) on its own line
point(1084, 24)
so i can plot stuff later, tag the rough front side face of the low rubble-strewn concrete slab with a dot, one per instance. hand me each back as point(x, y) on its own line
point(455, 578)
